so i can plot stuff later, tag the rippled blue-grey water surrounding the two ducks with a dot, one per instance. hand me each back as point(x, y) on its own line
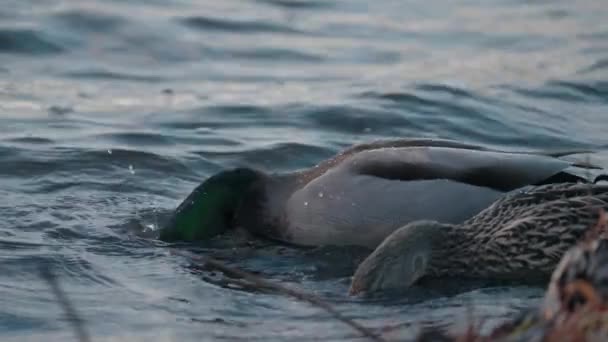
point(112, 111)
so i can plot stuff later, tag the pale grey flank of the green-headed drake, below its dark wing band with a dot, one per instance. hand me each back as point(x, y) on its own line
point(362, 210)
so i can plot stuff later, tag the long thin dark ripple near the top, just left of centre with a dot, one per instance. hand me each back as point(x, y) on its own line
point(237, 26)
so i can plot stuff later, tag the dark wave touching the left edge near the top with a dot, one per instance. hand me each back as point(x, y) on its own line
point(27, 41)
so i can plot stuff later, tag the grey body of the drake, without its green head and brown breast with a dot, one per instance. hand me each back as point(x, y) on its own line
point(365, 193)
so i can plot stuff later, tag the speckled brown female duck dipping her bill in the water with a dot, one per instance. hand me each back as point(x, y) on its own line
point(524, 234)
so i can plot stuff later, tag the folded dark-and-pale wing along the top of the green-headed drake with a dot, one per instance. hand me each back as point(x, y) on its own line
point(502, 171)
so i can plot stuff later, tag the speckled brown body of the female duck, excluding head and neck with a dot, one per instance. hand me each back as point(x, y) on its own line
point(529, 231)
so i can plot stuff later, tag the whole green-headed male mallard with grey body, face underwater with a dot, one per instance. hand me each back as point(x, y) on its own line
point(364, 193)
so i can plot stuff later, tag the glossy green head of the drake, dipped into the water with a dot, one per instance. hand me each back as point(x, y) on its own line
point(209, 209)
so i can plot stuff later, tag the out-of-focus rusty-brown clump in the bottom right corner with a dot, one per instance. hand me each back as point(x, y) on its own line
point(574, 307)
